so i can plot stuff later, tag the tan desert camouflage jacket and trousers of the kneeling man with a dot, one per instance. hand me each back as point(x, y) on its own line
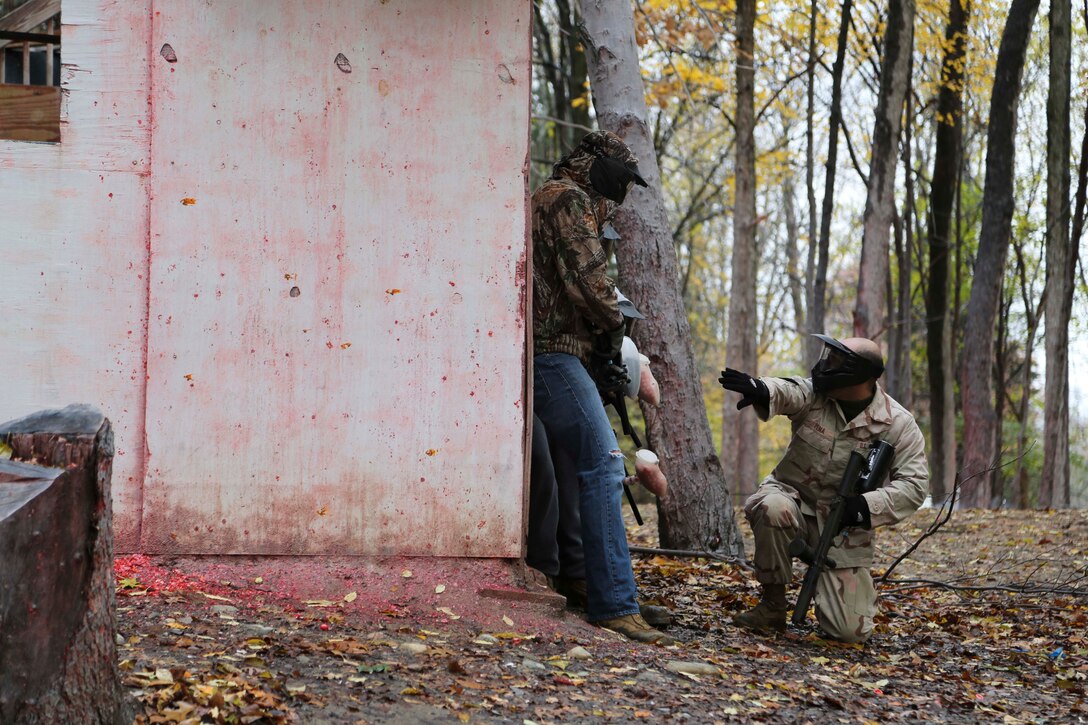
point(798, 494)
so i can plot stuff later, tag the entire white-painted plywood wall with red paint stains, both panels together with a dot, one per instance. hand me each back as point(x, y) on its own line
point(379, 411)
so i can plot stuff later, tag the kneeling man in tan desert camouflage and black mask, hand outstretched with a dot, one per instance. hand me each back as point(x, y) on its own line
point(842, 409)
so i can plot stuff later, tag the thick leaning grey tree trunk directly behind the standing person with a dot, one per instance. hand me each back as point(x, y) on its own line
point(698, 513)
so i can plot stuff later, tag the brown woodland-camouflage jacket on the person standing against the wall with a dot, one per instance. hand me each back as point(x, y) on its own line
point(574, 298)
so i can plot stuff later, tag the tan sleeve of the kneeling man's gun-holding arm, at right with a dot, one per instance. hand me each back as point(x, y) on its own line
point(909, 484)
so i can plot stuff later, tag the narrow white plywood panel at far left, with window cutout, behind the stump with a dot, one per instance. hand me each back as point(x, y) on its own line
point(73, 239)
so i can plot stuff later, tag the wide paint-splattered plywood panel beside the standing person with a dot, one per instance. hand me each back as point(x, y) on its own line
point(338, 278)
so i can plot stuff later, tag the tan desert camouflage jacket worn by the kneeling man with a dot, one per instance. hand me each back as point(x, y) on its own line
point(822, 443)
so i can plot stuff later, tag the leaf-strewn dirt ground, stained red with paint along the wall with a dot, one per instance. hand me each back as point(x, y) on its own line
point(985, 623)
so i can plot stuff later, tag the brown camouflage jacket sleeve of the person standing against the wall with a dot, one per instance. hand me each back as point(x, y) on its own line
point(584, 264)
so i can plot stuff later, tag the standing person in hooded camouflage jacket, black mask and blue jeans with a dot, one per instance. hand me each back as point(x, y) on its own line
point(578, 331)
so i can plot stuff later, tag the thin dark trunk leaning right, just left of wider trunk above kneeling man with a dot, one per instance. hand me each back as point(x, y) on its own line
point(818, 305)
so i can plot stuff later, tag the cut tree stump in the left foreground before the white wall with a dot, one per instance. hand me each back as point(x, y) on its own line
point(58, 616)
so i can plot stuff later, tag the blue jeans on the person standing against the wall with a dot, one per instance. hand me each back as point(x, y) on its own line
point(567, 402)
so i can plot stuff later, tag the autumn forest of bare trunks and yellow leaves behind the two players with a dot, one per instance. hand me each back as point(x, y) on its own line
point(943, 219)
